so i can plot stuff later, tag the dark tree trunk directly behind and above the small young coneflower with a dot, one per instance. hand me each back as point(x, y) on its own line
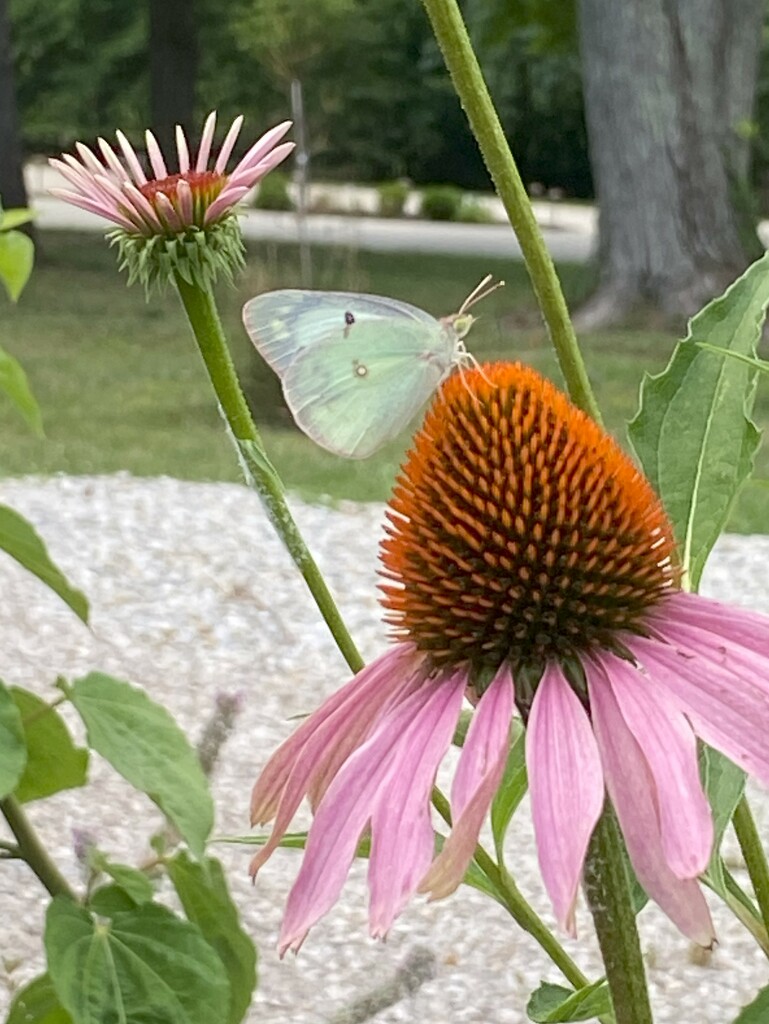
point(174, 68)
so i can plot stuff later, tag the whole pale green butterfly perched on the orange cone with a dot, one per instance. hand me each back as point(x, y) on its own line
point(357, 369)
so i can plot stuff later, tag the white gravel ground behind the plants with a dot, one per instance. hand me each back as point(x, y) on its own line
point(193, 595)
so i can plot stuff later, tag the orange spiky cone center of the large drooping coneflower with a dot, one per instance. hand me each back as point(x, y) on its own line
point(519, 530)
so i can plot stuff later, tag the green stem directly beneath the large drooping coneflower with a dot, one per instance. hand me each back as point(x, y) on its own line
point(608, 891)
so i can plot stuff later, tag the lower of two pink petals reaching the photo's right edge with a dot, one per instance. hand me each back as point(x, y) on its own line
point(729, 712)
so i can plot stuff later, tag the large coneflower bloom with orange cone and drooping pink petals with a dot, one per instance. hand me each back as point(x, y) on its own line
point(532, 567)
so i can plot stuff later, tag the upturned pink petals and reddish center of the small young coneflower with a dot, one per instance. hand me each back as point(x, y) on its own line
point(164, 202)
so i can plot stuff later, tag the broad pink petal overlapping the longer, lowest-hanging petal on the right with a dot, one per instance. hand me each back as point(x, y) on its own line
point(669, 746)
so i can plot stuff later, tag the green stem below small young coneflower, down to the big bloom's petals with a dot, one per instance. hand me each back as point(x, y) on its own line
point(204, 319)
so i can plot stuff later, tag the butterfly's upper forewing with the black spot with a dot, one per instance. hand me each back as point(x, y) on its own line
point(285, 324)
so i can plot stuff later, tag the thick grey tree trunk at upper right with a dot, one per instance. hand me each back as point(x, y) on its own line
point(668, 87)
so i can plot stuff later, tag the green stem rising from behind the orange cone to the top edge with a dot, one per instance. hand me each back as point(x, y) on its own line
point(468, 81)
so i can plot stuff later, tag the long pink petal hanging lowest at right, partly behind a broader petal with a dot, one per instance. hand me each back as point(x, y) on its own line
point(631, 788)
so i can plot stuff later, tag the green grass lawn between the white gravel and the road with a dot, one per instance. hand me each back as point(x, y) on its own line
point(122, 389)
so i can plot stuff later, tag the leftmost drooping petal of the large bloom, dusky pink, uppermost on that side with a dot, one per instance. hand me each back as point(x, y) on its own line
point(358, 701)
